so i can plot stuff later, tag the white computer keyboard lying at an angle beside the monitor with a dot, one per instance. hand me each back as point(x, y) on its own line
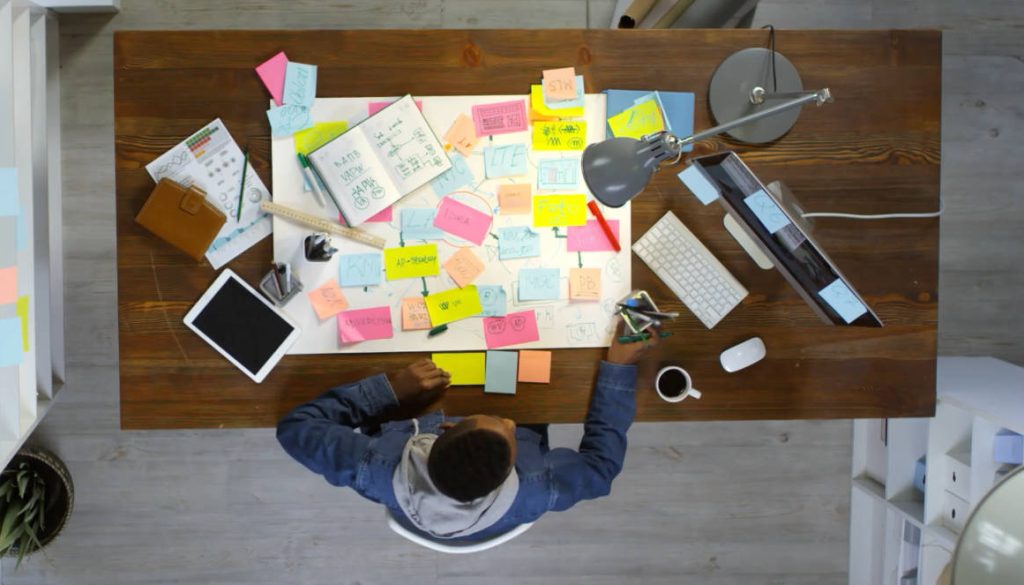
point(697, 277)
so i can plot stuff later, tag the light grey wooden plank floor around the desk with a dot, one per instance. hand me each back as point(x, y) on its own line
point(710, 504)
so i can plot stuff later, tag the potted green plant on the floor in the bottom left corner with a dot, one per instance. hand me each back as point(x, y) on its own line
point(36, 498)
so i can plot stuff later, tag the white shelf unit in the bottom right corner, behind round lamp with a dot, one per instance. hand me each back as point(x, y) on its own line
point(895, 528)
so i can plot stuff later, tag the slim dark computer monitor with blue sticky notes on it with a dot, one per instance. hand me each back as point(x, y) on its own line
point(782, 235)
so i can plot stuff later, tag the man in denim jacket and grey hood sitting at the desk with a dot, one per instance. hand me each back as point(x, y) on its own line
point(465, 480)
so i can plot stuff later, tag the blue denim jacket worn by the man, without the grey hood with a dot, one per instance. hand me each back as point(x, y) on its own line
point(337, 437)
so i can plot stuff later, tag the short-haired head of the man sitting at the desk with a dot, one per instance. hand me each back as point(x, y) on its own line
point(474, 457)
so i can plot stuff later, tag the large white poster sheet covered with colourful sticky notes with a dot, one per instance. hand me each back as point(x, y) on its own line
point(517, 249)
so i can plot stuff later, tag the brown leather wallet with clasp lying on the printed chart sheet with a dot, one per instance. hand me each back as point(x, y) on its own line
point(183, 218)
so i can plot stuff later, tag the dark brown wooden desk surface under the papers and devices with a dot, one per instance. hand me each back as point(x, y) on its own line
point(875, 150)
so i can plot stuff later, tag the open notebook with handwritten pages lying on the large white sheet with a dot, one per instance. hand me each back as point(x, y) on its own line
point(380, 160)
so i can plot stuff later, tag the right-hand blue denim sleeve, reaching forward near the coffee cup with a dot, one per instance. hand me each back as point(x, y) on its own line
point(588, 474)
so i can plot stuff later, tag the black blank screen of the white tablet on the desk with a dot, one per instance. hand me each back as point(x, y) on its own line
point(244, 327)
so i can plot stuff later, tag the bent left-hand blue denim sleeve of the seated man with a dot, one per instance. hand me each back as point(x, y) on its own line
point(322, 434)
